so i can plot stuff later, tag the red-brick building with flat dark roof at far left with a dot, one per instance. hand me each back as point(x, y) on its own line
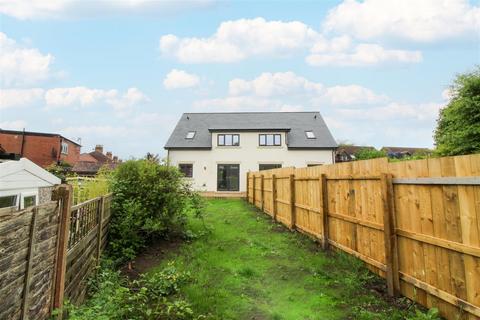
point(43, 149)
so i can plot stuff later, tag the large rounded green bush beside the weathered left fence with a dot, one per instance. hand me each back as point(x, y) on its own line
point(150, 201)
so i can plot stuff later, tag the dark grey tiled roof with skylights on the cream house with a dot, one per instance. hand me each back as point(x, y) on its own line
point(295, 123)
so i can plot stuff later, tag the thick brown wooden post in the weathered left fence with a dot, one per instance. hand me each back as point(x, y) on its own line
point(64, 194)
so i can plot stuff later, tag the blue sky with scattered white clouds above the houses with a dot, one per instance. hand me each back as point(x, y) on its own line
point(120, 73)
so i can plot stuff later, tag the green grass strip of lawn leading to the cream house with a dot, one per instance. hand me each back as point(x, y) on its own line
point(247, 267)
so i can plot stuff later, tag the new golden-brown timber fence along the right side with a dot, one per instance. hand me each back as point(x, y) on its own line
point(415, 223)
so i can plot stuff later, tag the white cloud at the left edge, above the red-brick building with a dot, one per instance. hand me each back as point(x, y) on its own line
point(22, 66)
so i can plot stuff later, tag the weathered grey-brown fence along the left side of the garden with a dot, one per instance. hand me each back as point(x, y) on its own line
point(48, 252)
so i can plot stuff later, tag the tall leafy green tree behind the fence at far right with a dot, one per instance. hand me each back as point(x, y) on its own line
point(458, 125)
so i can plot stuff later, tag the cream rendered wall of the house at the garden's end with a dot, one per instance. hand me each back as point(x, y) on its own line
point(248, 155)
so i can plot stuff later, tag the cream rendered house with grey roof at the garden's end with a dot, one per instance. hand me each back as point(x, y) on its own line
point(216, 150)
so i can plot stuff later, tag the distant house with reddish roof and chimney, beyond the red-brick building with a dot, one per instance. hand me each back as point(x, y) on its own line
point(89, 163)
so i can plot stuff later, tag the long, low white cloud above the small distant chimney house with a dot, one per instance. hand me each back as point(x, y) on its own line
point(83, 96)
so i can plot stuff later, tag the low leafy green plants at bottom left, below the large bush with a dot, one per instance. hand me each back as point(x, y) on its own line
point(150, 297)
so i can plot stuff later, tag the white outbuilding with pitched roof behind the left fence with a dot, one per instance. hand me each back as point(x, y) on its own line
point(24, 184)
